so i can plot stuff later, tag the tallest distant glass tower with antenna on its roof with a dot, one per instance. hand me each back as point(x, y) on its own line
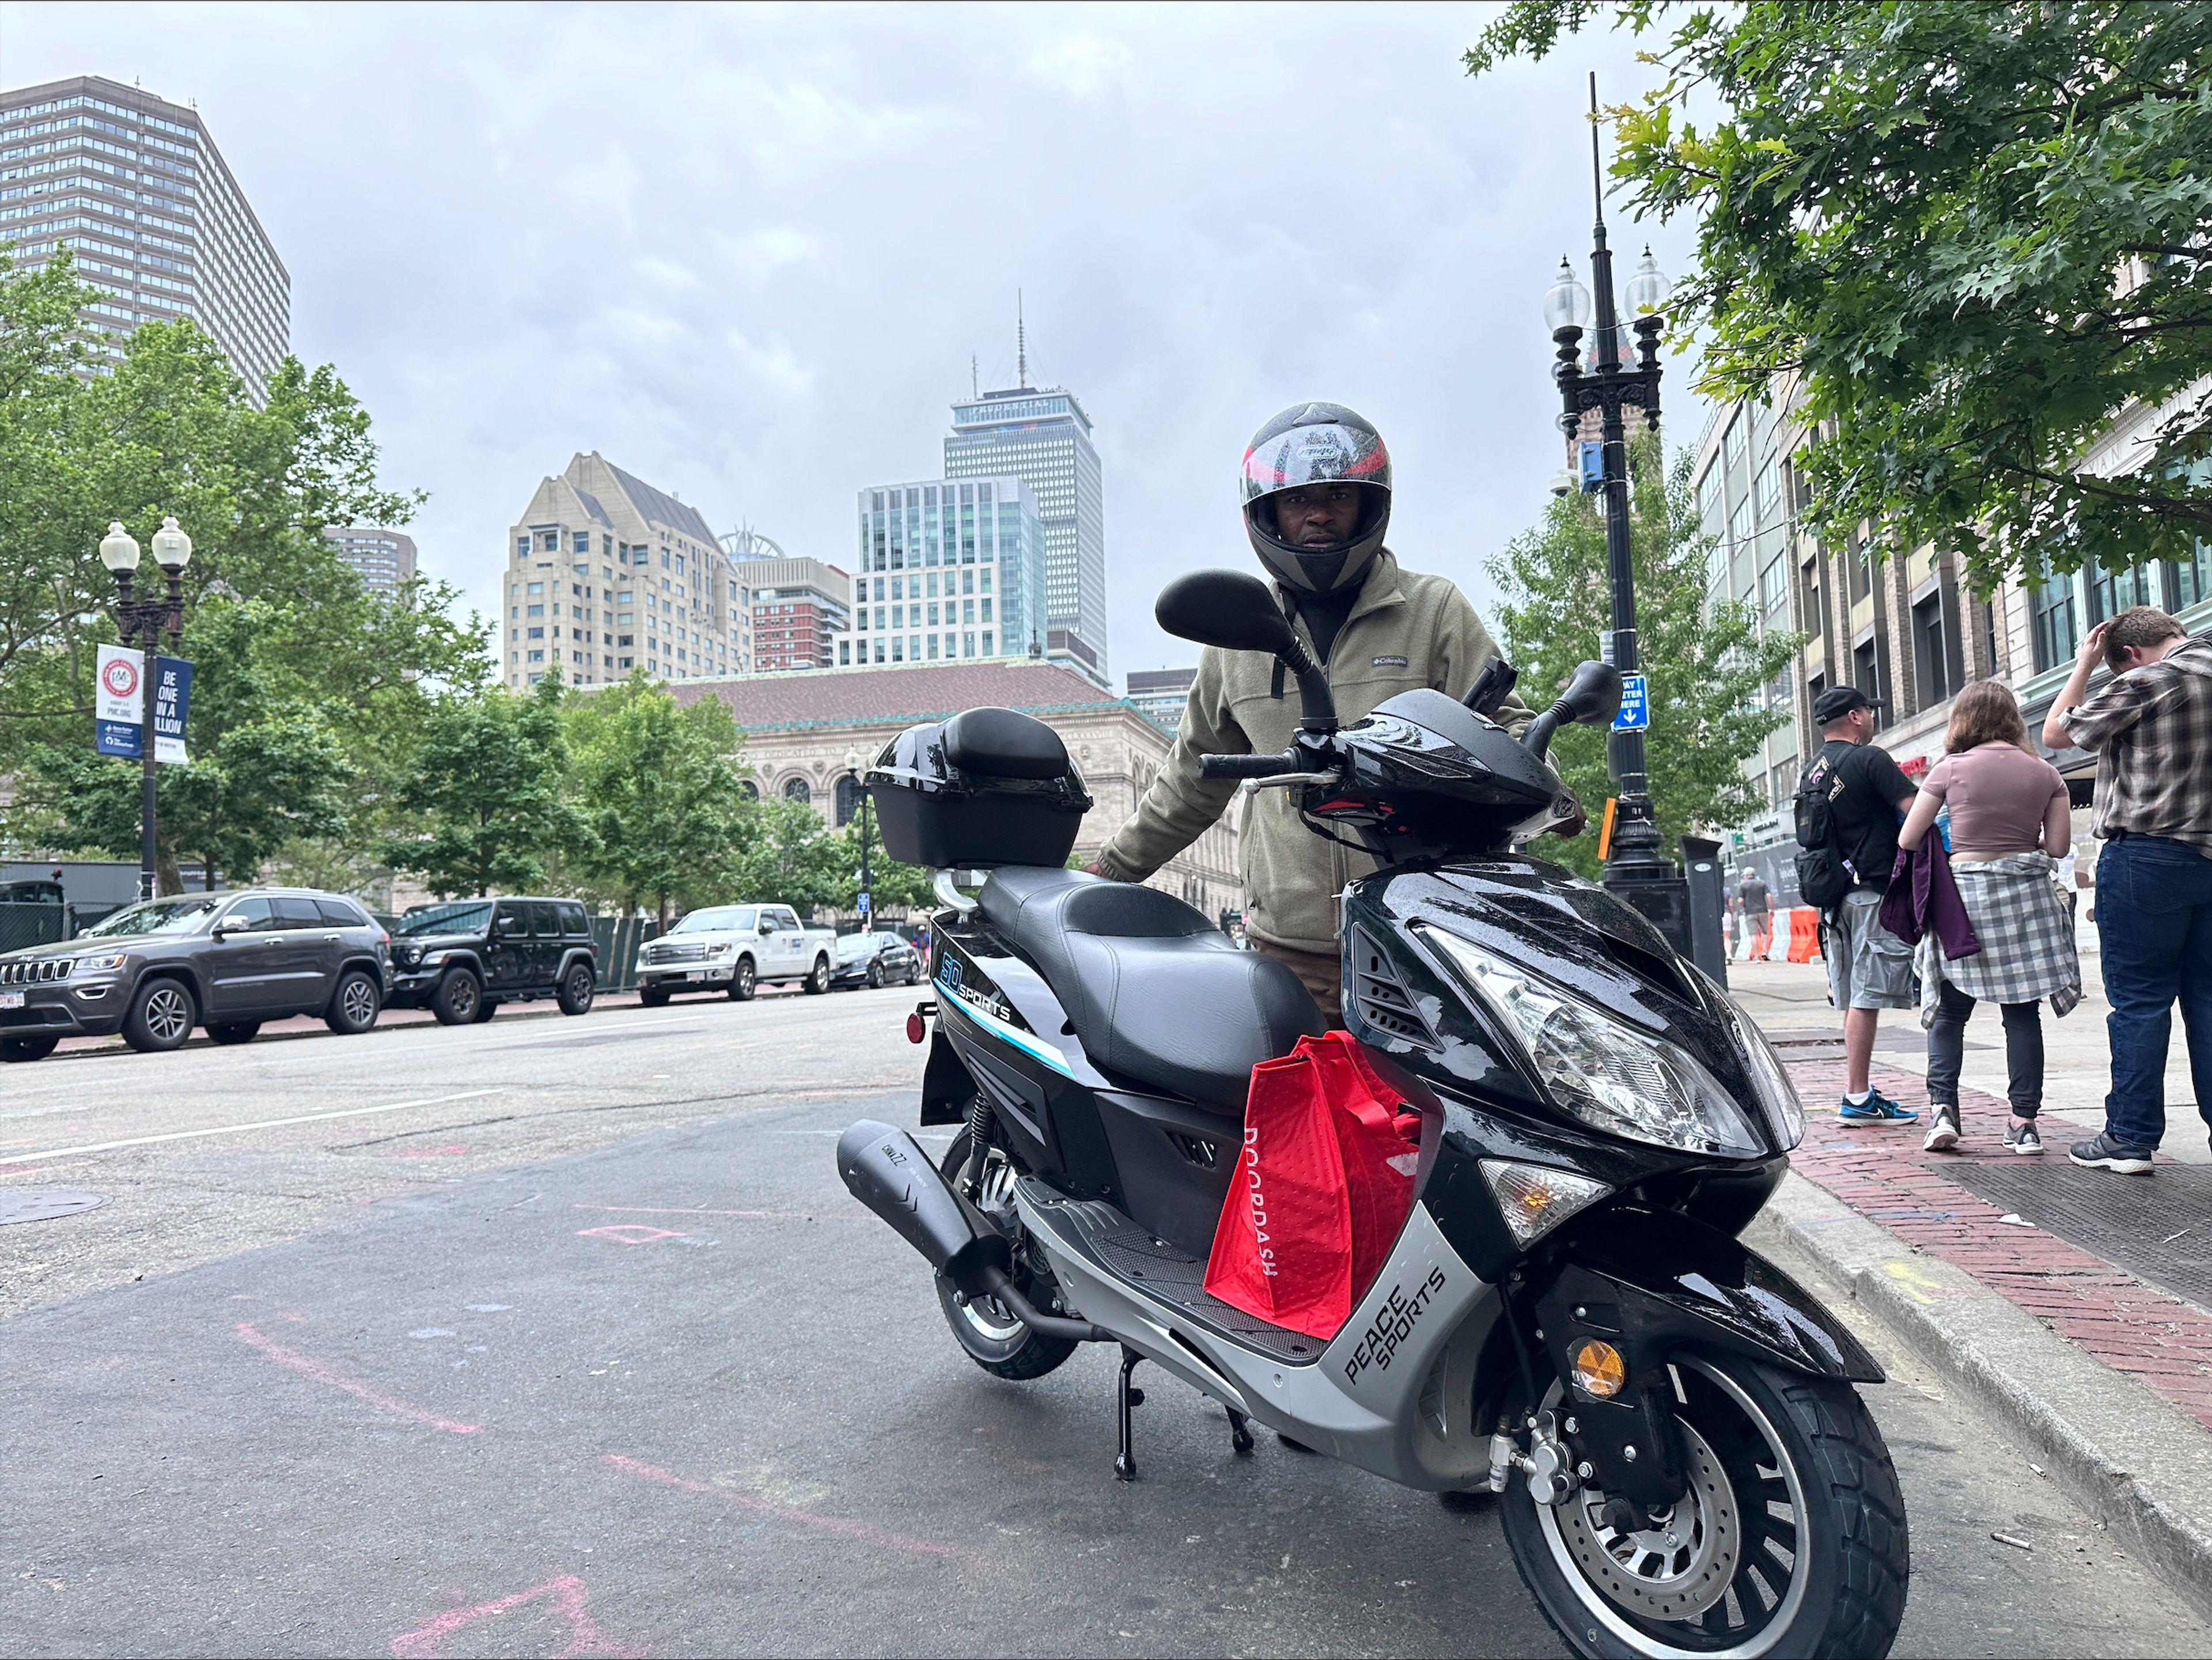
point(1043, 439)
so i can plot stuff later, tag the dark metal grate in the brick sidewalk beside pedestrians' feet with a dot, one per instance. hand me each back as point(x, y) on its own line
point(2158, 1228)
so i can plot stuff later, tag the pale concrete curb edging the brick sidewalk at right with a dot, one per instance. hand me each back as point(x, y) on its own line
point(2122, 1453)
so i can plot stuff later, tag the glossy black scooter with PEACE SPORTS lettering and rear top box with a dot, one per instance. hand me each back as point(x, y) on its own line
point(1567, 1316)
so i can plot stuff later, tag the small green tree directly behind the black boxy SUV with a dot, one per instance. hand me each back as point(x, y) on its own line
point(486, 792)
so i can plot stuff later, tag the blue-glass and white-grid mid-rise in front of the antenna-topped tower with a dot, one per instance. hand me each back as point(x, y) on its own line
point(970, 554)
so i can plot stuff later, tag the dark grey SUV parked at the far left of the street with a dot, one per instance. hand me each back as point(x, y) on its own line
point(225, 963)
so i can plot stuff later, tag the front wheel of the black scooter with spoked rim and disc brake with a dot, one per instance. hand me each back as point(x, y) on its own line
point(1788, 1542)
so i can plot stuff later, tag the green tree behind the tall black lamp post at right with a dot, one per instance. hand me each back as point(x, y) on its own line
point(1704, 662)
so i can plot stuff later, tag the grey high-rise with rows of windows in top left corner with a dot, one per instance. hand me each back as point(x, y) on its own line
point(136, 189)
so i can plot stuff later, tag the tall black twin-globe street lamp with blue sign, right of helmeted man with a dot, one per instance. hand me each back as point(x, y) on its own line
point(1636, 870)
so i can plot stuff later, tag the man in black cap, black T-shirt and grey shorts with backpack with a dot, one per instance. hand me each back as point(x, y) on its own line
point(1868, 967)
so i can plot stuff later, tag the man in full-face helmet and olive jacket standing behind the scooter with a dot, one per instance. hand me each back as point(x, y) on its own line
point(1317, 503)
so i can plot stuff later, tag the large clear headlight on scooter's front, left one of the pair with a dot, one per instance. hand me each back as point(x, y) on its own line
point(1603, 1071)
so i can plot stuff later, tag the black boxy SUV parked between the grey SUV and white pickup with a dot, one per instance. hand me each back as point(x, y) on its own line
point(466, 958)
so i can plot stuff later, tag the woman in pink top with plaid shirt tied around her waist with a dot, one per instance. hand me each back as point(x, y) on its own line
point(2010, 821)
